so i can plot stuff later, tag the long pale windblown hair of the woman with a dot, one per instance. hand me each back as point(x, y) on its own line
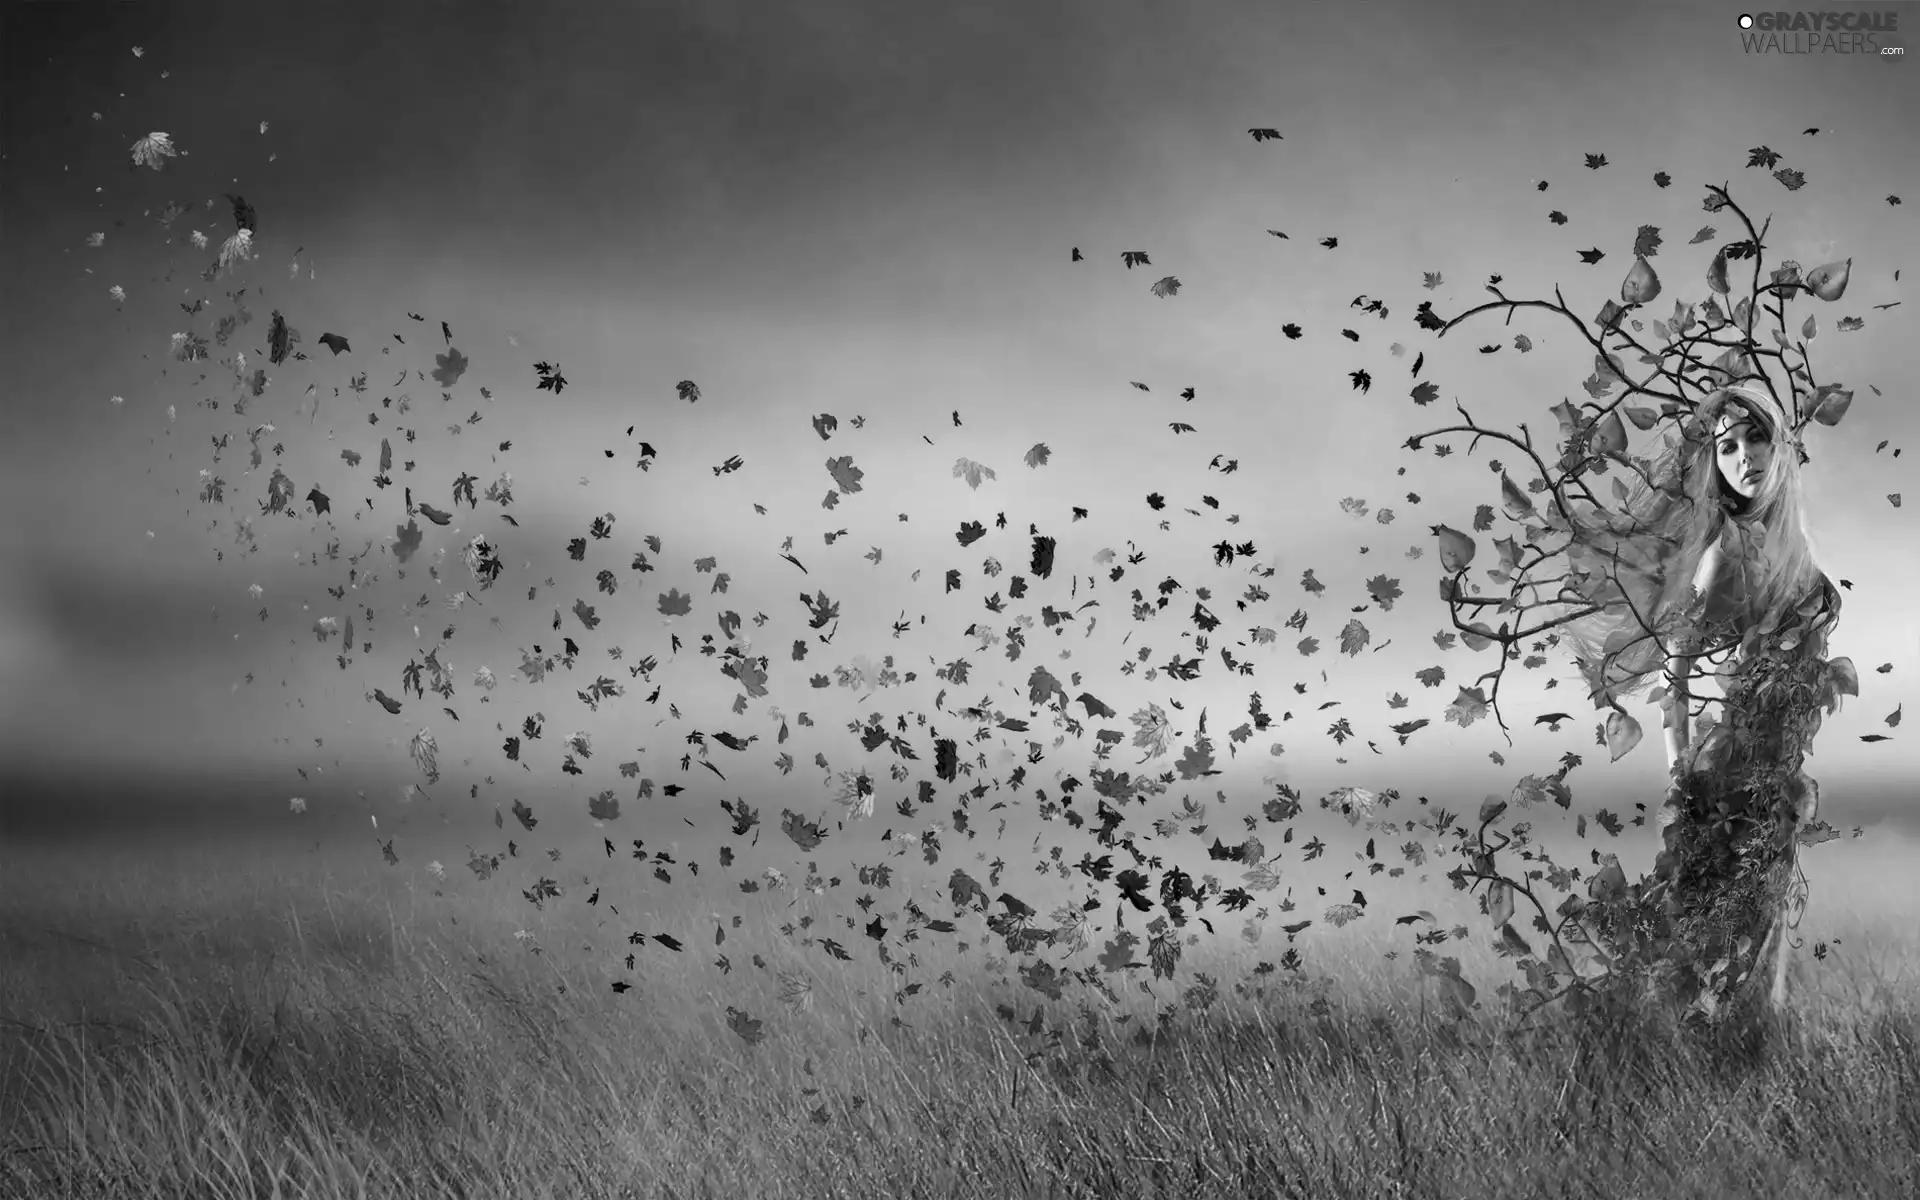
point(1639, 565)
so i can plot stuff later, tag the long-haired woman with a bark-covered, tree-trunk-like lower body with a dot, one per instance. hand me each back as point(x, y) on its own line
point(1712, 562)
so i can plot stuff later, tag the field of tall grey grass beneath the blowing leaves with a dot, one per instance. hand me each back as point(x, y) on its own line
point(222, 1024)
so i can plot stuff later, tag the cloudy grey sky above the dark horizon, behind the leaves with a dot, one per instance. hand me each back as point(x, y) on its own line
point(869, 212)
